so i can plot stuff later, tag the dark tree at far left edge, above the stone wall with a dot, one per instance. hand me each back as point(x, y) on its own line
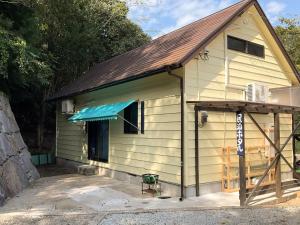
point(25, 67)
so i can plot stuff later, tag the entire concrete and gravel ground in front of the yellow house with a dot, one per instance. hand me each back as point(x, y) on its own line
point(64, 197)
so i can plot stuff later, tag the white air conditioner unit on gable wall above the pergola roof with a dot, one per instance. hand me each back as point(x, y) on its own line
point(257, 93)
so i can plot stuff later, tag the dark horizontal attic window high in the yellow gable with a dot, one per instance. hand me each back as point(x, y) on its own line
point(244, 46)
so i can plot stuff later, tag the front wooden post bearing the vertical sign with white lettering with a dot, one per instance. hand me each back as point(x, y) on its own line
point(240, 132)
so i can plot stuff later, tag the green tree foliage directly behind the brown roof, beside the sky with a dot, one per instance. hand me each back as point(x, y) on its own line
point(81, 32)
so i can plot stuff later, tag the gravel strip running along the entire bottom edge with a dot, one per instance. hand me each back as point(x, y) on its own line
point(224, 216)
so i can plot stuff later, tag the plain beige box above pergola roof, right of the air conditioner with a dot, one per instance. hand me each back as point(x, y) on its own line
point(286, 96)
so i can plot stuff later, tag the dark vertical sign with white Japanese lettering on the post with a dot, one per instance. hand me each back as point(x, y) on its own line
point(240, 133)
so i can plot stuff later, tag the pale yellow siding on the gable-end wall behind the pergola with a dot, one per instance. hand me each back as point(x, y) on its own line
point(205, 80)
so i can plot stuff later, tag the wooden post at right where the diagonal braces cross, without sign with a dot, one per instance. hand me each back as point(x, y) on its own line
point(278, 162)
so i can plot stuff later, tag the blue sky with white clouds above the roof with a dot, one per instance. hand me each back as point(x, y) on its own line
point(158, 17)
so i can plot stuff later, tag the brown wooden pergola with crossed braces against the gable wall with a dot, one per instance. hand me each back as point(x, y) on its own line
point(241, 108)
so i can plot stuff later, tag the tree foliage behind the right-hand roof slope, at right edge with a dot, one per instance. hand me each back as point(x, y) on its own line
point(289, 33)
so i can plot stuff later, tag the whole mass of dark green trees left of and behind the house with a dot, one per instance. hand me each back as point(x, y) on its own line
point(45, 44)
